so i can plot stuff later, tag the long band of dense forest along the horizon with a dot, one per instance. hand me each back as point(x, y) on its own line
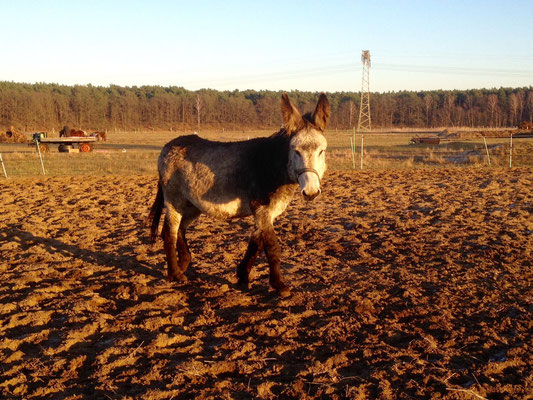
point(45, 106)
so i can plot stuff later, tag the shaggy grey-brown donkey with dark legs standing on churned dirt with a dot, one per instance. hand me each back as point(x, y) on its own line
point(236, 179)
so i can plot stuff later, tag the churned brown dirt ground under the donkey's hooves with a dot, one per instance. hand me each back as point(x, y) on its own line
point(406, 284)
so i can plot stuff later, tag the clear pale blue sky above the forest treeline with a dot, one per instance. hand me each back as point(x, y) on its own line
point(277, 45)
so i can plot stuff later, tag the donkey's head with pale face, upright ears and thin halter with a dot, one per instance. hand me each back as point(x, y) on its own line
point(307, 158)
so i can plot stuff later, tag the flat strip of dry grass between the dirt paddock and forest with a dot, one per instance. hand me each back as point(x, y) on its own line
point(128, 153)
